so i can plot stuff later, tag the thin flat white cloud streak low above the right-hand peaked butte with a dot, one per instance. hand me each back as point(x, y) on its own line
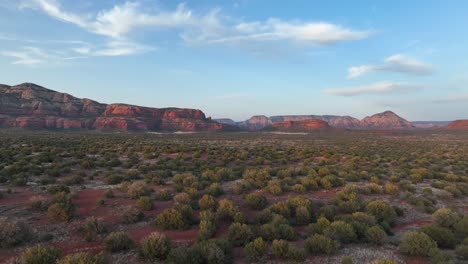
point(375, 88)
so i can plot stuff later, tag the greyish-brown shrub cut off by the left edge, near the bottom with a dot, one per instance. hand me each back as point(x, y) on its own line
point(13, 233)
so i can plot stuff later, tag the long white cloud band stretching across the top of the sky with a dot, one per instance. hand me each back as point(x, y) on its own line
point(209, 28)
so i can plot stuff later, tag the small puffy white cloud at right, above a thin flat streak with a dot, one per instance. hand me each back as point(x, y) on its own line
point(396, 63)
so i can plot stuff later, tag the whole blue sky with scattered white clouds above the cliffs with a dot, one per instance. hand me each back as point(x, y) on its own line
point(235, 59)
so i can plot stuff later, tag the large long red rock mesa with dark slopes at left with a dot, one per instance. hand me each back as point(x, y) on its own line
point(35, 107)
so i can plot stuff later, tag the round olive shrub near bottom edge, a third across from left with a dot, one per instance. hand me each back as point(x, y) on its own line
point(155, 246)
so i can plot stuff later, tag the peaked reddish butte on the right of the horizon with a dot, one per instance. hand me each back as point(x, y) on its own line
point(386, 120)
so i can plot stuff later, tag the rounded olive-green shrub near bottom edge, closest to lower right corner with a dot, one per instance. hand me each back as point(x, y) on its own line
point(417, 244)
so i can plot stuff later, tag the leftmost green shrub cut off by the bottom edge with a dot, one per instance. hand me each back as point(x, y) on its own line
point(40, 255)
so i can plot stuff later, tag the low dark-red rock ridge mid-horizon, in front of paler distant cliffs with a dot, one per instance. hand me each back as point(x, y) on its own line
point(307, 125)
